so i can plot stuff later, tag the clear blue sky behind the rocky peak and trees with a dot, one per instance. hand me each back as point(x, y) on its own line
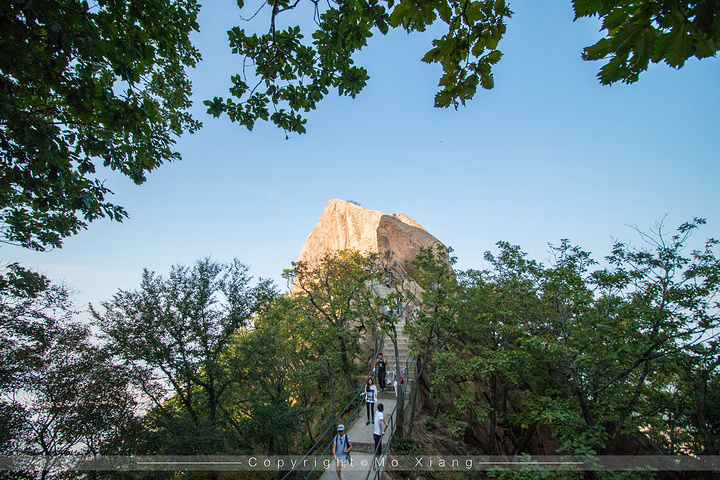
point(548, 154)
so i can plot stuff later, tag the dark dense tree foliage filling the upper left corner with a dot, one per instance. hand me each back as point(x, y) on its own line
point(85, 86)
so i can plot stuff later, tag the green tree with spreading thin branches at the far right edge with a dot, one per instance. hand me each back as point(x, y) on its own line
point(671, 306)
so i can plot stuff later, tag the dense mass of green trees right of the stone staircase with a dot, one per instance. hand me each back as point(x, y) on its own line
point(595, 360)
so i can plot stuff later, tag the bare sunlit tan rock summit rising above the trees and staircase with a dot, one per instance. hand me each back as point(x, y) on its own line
point(397, 239)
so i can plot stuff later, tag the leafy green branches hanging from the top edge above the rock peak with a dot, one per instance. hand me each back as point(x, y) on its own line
point(291, 74)
